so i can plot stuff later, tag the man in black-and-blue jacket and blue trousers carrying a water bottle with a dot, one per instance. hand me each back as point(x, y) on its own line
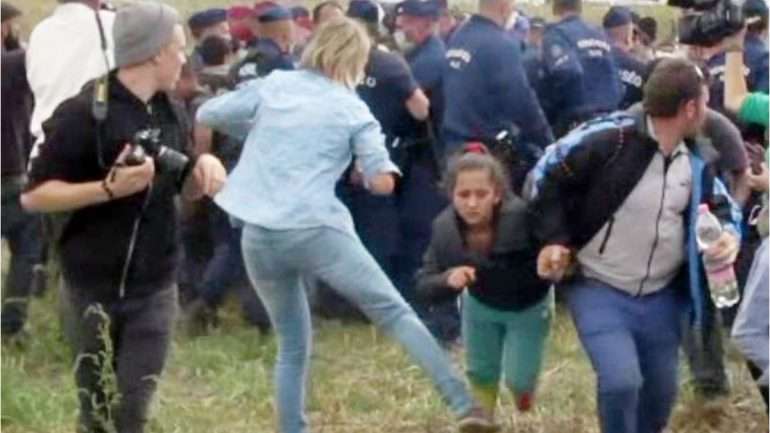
point(634, 179)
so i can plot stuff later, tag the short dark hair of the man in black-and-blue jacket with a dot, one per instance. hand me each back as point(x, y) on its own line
point(672, 83)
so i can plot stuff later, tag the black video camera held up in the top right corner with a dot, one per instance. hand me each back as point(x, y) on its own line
point(708, 21)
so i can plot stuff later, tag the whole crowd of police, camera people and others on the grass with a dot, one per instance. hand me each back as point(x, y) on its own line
point(446, 175)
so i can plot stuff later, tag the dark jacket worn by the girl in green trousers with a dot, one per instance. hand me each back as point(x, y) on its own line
point(506, 279)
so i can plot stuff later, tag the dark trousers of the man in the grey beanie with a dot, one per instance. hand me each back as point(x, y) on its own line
point(120, 350)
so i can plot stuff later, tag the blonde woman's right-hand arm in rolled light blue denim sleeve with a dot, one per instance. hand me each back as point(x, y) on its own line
point(368, 146)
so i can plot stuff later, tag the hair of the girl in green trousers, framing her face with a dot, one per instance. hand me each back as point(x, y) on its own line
point(476, 156)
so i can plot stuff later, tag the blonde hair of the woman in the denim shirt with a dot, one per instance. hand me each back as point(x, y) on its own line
point(339, 50)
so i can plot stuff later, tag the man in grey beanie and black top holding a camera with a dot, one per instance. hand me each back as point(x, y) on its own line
point(111, 174)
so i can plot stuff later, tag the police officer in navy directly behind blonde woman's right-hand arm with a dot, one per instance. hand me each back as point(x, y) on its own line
point(393, 95)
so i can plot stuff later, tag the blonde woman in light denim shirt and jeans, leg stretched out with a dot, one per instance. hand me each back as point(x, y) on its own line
point(302, 129)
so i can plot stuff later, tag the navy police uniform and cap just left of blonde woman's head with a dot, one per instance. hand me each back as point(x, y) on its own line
point(264, 56)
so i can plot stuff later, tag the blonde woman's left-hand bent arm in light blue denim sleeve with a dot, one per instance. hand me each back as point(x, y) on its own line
point(232, 113)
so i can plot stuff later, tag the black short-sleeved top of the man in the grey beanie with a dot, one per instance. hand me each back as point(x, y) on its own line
point(94, 241)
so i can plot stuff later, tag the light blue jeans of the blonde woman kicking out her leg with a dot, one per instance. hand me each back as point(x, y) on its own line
point(277, 261)
